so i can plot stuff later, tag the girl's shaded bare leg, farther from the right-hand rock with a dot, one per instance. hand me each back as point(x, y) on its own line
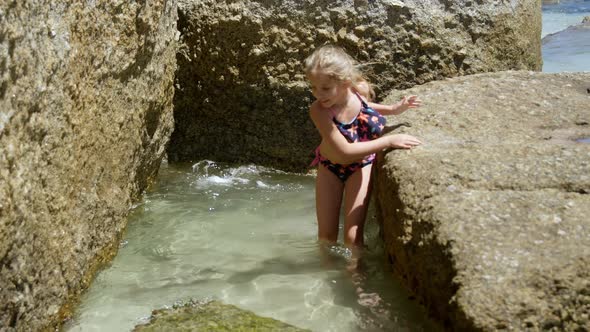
point(328, 198)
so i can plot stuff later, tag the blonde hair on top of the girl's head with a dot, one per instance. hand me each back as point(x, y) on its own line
point(334, 62)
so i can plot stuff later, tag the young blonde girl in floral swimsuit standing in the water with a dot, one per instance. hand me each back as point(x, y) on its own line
point(351, 128)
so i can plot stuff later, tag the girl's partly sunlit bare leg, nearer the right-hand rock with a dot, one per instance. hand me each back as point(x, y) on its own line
point(356, 202)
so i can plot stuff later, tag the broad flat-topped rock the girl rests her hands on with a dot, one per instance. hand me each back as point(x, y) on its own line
point(488, 221)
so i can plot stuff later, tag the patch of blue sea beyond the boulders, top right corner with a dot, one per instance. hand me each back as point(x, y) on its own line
point(566, 44)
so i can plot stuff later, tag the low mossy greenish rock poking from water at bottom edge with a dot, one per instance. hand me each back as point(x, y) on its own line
point(211, 316)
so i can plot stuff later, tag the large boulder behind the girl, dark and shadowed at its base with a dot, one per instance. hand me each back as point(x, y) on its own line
point(241, 92)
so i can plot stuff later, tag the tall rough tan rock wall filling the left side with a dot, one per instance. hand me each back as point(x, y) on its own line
point(86, 94)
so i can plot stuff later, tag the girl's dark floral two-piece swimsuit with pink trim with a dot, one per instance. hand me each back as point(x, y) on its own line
point(366, 126)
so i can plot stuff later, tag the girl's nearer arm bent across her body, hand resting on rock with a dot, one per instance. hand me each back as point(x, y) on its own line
point(339, 150)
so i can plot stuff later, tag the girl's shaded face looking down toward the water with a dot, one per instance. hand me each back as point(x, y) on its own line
point(326, 90)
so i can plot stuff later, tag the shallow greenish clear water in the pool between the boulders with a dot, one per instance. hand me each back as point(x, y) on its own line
point(246, 236)
